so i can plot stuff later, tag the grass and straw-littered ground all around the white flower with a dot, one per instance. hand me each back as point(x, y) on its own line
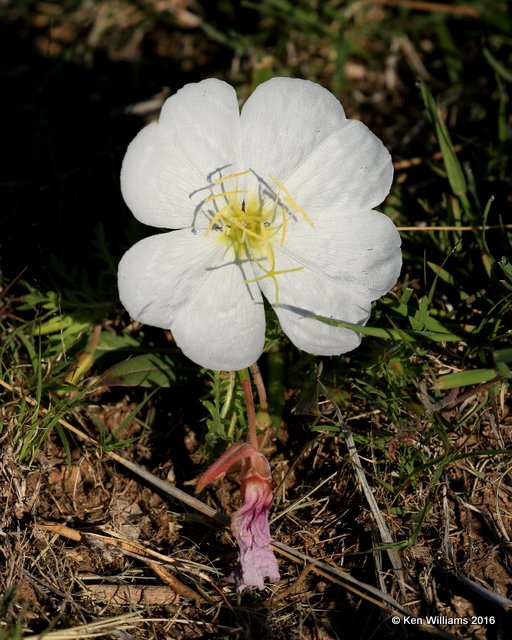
point(393, 492)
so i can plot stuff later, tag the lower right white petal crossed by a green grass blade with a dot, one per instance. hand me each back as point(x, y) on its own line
point(344, 267)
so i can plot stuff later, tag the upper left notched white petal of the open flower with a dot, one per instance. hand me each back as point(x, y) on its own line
point(167, 163)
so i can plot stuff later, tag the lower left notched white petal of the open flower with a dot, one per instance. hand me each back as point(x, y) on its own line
point(186, 282)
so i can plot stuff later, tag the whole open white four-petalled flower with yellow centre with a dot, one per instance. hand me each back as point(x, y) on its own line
point(276, 200)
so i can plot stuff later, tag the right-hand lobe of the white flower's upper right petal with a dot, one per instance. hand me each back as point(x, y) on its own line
point(351, 170)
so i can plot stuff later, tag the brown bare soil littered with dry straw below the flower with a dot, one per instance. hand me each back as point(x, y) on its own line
point(91, 542)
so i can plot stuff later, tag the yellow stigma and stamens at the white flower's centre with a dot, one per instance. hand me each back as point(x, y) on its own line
point(253, 222)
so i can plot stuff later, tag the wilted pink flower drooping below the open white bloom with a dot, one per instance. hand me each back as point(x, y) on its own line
point(249, 525)
